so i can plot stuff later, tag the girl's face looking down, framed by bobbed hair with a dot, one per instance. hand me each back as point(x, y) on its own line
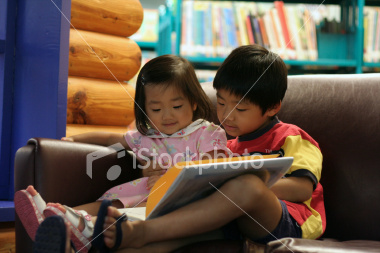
point(168, 110)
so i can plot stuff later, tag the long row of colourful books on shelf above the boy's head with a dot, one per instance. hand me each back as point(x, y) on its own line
point(214, 28)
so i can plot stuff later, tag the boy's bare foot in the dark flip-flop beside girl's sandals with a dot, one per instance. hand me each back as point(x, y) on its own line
point(132, 231)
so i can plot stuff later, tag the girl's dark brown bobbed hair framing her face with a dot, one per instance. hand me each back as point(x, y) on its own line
point(170, 70)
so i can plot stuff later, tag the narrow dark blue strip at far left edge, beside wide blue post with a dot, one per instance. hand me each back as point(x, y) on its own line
point(7, 36)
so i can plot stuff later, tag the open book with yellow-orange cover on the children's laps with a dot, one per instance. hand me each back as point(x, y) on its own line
point(190, 181)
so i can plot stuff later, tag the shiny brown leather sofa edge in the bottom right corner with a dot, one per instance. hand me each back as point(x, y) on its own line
point(325, 246)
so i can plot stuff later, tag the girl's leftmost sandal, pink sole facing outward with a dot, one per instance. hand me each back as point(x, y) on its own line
point(29, 209)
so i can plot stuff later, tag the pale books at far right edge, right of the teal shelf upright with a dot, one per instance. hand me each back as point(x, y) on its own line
point(371, 23)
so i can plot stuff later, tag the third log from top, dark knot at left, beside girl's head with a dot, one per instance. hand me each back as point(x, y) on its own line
point(99, 102)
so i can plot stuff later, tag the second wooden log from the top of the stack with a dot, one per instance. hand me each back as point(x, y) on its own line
point(103, 56)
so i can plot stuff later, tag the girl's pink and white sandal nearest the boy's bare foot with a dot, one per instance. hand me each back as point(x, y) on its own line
point(80, 239)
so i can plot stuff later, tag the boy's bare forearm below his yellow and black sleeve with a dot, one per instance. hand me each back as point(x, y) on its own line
point(293, 189)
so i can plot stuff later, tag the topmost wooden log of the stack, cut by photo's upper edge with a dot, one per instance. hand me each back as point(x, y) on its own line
point(117, 17)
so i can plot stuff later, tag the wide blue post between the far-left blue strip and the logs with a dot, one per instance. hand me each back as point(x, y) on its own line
point(41, 70)
